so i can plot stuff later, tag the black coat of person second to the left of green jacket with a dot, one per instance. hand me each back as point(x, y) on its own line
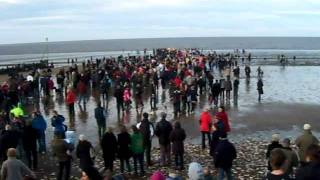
point(109, 145)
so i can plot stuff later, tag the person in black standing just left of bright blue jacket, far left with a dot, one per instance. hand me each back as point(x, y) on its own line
point(30, 146)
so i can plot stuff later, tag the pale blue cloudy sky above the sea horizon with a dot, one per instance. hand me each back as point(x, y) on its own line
point(63, 20)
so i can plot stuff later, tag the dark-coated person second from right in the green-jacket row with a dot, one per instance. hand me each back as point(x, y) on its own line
point(163, 130)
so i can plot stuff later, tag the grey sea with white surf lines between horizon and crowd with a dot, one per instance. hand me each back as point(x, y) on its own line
point(265, 49)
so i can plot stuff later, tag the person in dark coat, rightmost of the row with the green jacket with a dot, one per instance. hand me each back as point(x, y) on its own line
point(177, 136)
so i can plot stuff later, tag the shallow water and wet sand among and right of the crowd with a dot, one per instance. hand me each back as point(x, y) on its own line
point(290, 99)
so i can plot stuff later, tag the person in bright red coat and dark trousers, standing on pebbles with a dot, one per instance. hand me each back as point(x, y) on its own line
point(205, 126)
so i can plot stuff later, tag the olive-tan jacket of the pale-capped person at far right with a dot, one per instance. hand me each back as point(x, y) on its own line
point(303, 142)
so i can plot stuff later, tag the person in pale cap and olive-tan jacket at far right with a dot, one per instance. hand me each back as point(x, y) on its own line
point(304, 141)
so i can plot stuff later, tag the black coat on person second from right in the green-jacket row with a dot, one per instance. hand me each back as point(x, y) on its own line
point(163, 130)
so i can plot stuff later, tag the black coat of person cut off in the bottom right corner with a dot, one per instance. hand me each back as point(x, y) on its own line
point(310, 171)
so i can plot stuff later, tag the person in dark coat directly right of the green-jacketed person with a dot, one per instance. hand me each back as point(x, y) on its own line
point(146, 128)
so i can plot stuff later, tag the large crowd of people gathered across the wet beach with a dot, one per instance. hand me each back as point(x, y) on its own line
point(185, 74)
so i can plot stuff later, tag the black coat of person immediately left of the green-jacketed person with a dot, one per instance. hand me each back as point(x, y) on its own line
point(124, 142)
